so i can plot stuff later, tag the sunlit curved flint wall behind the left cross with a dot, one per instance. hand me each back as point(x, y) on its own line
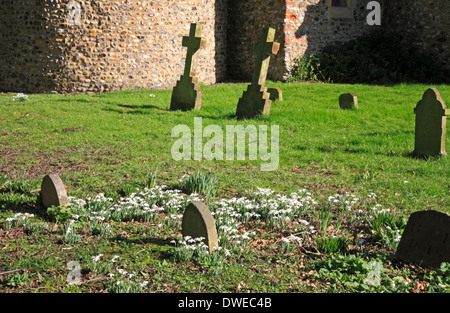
point(109, 45)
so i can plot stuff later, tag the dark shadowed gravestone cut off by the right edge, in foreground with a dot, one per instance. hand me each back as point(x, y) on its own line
point(426, 239)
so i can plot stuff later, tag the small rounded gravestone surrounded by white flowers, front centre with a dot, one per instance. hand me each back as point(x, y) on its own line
point(198, 222)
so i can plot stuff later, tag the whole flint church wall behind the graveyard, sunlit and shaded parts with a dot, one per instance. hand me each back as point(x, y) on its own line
point(102, 45)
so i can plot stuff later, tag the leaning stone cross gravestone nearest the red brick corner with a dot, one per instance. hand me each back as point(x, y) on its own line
point(256, 99)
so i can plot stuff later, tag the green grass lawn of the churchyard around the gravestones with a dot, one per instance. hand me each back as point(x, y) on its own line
point(109, 143)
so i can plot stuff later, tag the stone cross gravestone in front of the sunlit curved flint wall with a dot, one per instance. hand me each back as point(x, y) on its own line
point(186, 94)
